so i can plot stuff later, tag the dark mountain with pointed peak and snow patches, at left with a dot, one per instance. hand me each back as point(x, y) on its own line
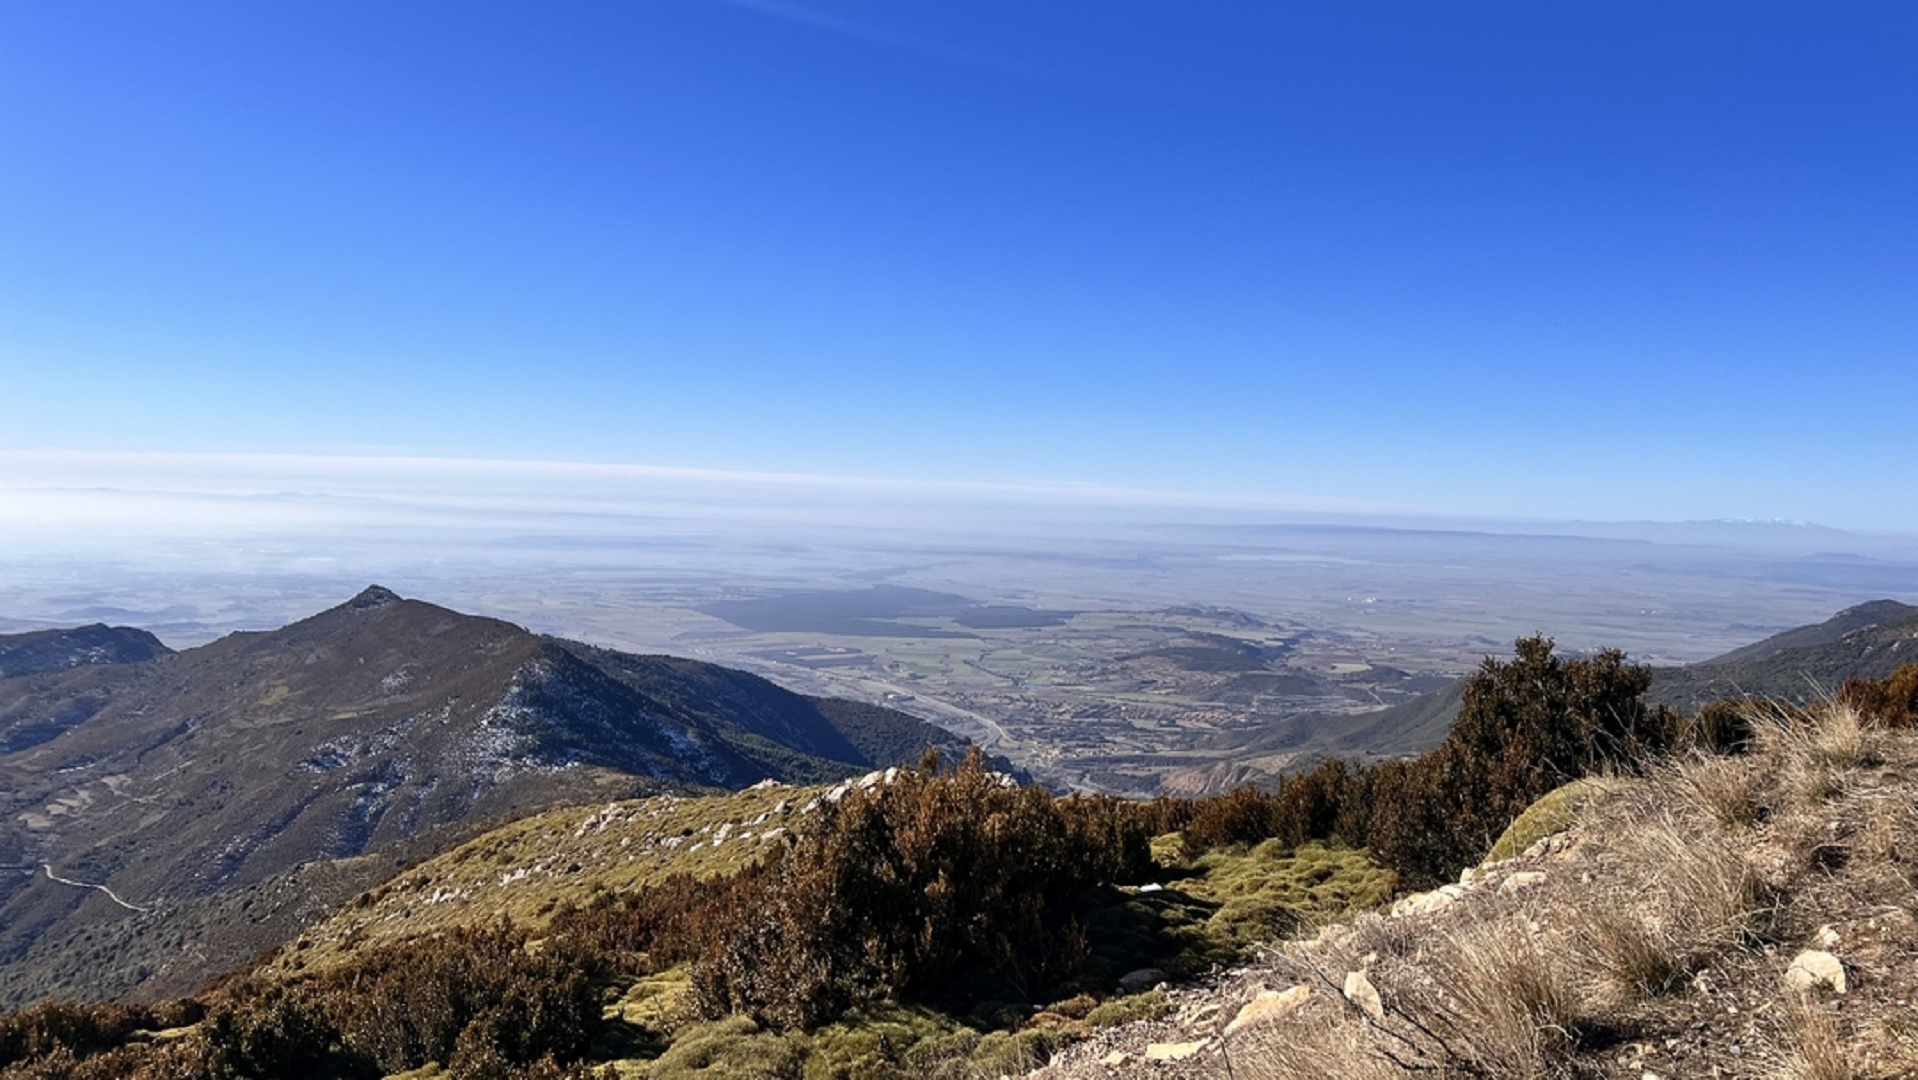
point(143, 786)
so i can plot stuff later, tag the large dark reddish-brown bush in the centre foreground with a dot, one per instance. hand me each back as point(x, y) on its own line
point(925, 889)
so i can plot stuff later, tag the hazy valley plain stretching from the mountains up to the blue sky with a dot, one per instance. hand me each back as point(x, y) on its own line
point(1100, 640)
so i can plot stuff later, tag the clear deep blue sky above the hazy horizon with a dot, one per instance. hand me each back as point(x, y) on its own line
point(1566, 260)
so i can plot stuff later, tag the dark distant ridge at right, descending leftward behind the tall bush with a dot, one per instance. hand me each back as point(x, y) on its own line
point(1798, 665)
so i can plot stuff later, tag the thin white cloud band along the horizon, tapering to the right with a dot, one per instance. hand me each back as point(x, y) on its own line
point(218, 494)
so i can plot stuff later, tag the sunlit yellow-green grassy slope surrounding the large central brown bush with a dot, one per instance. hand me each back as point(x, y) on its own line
point(1200, 914)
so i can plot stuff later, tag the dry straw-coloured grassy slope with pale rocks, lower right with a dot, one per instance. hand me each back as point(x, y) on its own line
point(1727, 914)
